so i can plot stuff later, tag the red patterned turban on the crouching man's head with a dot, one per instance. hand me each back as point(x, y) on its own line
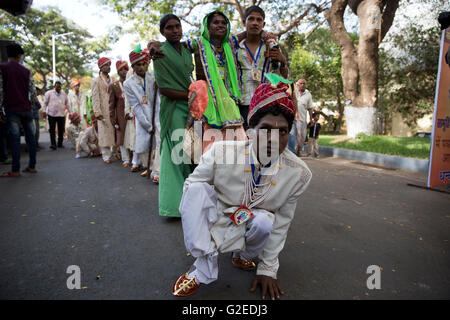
point(267, 95)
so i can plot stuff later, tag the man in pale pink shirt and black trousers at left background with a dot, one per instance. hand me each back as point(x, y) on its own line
point(55, 102)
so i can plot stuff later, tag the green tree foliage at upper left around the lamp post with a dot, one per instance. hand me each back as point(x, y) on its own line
point(74, 52)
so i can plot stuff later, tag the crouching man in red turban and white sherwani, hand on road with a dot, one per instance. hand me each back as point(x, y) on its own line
point(242, 196)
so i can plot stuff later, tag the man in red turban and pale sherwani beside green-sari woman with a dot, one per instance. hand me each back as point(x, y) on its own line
point(141, 93)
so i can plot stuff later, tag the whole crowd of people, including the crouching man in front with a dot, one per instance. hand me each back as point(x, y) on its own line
point(240, 93)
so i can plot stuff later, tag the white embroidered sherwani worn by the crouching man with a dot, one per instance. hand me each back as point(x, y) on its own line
point(287, 178)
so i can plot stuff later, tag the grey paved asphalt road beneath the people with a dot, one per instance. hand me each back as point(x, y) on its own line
point(104, 219)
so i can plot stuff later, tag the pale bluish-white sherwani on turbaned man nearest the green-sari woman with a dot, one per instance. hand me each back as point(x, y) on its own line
point(134, 93)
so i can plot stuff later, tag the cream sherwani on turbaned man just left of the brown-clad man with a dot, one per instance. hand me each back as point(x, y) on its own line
point(100, 105)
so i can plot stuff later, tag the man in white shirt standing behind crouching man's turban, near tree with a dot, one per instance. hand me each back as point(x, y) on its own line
point(304, 107)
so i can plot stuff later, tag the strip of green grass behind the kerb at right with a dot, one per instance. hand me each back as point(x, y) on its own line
point(411, 147)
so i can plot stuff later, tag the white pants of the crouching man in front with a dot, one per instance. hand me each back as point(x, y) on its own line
point(198, 210)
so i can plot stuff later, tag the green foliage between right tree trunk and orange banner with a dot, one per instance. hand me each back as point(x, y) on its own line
point(408, 79)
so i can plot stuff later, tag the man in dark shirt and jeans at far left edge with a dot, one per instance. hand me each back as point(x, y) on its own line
point(17, 93)
